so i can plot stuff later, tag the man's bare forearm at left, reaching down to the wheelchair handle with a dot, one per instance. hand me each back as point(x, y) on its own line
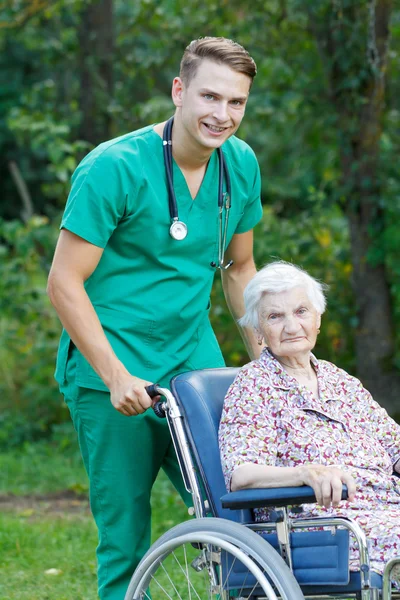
point(80, 320)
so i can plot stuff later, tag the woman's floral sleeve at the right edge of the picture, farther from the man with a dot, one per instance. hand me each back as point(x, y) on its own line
point(380, 426)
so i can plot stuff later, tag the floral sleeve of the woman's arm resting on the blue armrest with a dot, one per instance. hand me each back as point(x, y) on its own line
point(248, 432)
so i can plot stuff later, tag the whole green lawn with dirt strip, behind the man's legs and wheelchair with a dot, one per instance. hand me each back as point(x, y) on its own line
point(39, 531)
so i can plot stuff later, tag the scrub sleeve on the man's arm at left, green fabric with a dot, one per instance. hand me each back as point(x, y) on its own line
point(97, 201)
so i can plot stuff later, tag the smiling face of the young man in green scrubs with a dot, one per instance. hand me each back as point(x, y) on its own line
point(212, 106)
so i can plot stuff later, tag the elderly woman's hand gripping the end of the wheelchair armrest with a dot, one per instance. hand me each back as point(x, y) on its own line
point(327, 483)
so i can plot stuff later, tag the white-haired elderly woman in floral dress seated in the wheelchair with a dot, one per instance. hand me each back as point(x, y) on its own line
point(290, 419)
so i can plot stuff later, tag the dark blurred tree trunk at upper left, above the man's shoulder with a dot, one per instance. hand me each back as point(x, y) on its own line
point(96, 43)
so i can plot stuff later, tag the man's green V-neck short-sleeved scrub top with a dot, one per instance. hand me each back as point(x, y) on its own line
point(151, 292)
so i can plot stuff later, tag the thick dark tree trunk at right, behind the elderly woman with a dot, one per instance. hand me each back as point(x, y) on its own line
point(360, 126)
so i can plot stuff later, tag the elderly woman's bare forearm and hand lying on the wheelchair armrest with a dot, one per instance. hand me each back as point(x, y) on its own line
point(326, 481)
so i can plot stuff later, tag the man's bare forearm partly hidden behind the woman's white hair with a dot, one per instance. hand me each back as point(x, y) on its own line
point(234, 281)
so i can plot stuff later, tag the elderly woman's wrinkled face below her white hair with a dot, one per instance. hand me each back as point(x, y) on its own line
point(289, 322)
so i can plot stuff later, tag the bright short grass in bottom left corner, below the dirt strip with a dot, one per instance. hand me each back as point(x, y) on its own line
point(30, 546)
